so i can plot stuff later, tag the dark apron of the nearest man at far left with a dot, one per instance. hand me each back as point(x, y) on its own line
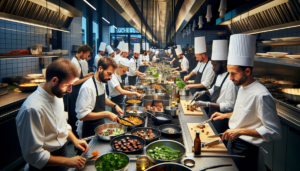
point(59, 152)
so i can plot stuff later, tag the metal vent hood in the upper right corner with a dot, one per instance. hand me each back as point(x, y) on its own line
point(270, 16)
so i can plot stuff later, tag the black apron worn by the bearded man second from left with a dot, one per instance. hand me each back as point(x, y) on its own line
point(88, 127)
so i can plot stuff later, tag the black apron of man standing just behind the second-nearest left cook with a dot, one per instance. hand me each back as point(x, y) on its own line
point(72, 103)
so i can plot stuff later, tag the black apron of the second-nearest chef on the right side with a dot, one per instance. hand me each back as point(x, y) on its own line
point(220, 125)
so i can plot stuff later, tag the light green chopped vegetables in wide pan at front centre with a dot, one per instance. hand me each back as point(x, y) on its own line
point(164, 153)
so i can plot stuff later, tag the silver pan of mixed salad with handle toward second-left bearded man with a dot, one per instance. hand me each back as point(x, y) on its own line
point(102, 127)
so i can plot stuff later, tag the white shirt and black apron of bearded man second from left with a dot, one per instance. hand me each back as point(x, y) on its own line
point(91, 98)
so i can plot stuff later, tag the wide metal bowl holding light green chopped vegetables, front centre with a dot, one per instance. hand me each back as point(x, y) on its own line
point(169, 143)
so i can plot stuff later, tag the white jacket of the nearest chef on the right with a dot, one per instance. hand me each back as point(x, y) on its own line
point(255, 108)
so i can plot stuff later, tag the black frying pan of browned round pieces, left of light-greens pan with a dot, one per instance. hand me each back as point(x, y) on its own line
point(132, 137)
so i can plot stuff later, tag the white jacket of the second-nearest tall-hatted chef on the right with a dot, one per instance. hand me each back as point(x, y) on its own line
point(228, 93)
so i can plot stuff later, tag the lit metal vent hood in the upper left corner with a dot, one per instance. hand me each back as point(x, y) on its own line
point(53, 14)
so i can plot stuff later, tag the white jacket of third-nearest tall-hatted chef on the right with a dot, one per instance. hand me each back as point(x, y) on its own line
point(208, 74)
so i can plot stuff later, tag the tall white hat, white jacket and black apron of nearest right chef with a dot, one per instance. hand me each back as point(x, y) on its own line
point(255, 108)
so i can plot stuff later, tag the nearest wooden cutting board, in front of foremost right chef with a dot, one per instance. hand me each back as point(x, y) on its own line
point(204, 138)
